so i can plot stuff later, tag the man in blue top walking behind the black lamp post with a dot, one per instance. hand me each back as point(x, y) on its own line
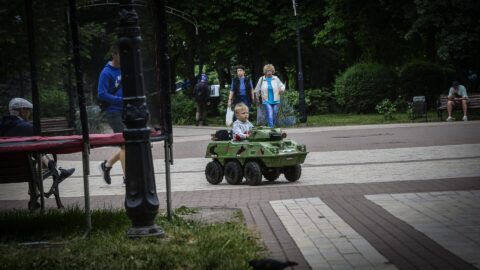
point(110, 92)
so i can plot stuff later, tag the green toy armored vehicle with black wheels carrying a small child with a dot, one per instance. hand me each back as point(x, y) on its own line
point(266, 152)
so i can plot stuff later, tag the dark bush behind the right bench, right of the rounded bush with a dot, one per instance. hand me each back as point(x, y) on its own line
point(419, 78)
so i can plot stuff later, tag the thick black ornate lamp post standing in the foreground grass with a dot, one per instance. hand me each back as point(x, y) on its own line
point(141, 201)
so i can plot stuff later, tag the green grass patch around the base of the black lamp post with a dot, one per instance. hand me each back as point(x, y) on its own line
point(188, 244)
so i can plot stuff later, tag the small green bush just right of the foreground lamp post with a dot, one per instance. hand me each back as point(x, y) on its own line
point(183, 109)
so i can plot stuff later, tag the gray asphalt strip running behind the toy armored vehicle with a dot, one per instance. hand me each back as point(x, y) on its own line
point(191, 141)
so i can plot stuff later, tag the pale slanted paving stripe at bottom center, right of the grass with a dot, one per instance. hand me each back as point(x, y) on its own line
point(324, 239)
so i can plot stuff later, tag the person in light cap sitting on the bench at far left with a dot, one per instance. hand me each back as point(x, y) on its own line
point(16, 125)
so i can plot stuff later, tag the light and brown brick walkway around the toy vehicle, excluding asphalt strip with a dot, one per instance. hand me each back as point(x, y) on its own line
point(397, 208)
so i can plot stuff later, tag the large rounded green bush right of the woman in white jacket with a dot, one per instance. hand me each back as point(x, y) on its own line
point(364, 85)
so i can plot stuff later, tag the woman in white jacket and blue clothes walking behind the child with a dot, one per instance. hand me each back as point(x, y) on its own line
point(270, 88)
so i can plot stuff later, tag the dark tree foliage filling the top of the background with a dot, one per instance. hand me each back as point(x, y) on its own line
point(335, 34)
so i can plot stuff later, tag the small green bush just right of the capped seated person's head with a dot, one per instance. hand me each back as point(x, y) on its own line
point(53, 102)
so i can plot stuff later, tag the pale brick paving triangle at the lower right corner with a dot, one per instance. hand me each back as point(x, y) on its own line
point(451, 218)
